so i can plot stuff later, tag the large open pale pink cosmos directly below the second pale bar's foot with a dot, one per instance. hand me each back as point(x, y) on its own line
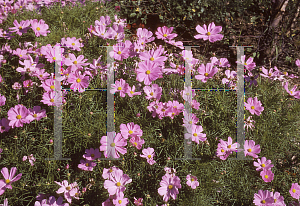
point(116, 184)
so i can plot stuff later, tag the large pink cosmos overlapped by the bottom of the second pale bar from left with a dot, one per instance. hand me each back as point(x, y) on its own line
point(111, 146)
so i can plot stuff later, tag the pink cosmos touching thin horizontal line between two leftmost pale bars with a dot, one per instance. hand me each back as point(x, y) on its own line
point(79, 82)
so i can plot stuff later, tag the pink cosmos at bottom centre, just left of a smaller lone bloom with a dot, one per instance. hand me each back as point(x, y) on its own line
point(169, 187)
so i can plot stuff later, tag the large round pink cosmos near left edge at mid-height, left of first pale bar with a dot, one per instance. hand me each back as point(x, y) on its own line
point(18, 116)
